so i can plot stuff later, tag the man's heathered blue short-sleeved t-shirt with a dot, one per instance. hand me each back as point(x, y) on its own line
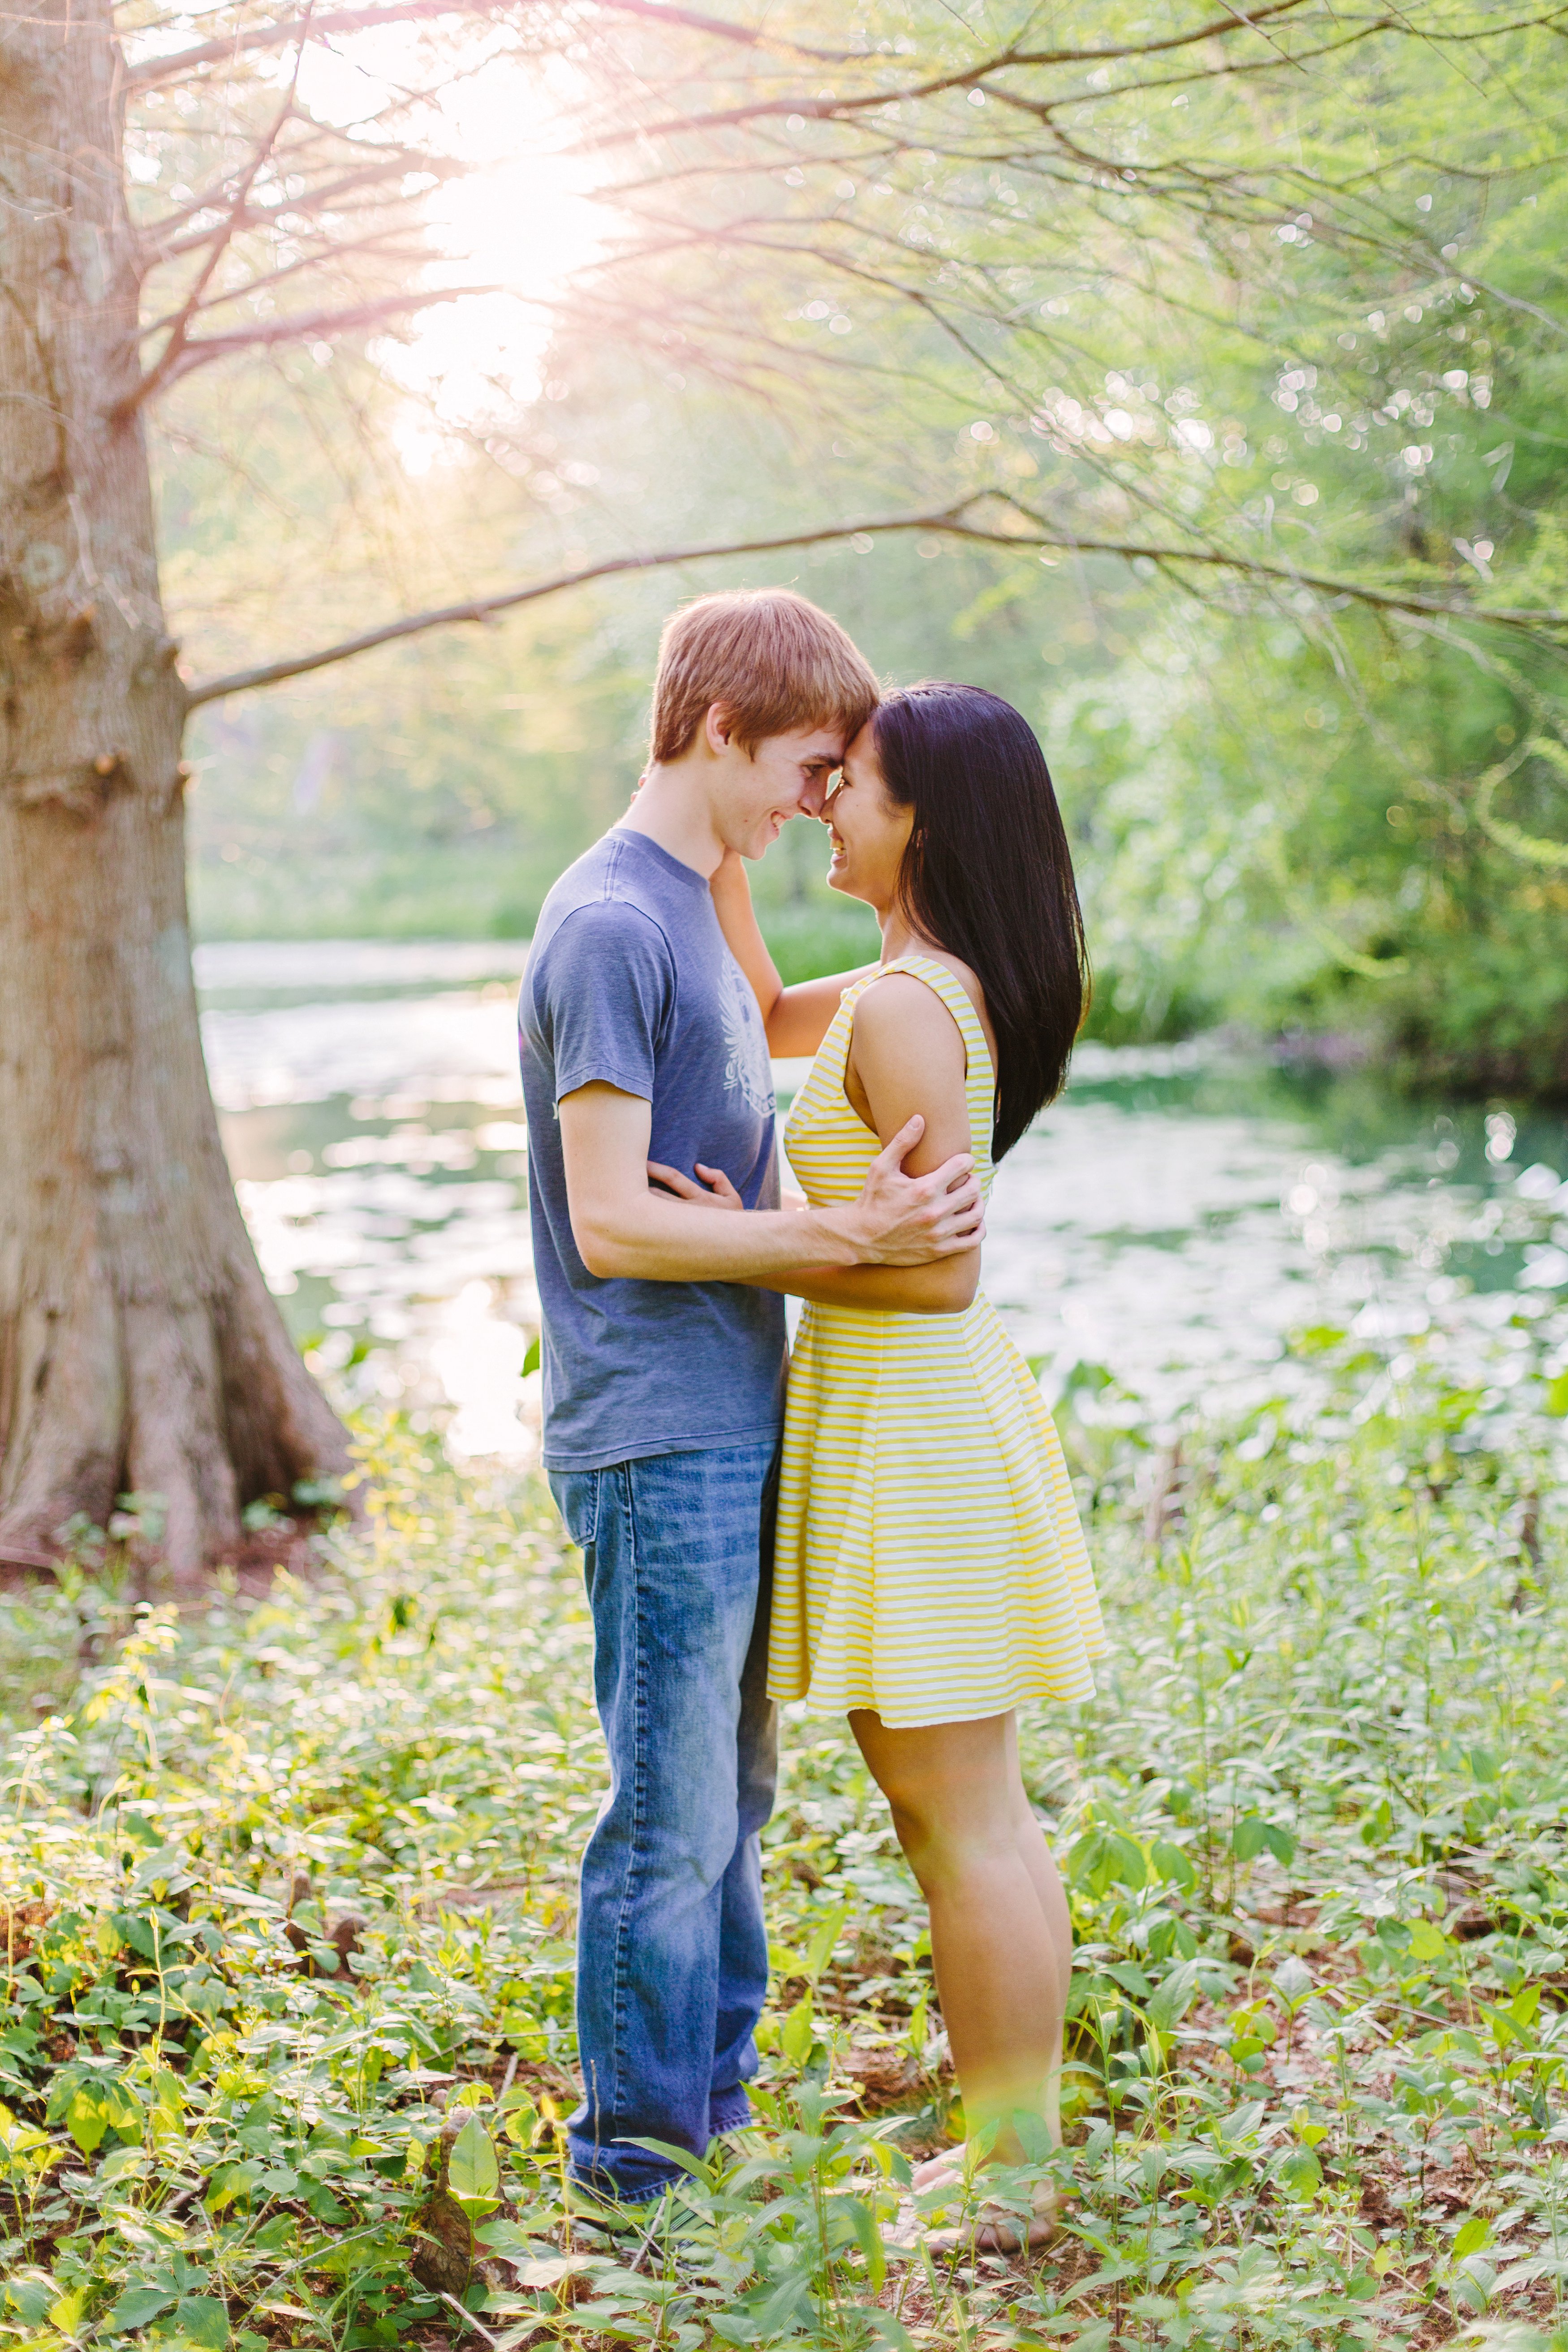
point(631, 982)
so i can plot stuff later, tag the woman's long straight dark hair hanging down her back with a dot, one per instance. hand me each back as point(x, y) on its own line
point(989, 876)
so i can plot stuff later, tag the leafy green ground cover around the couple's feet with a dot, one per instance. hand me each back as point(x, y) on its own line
point(288, 1899)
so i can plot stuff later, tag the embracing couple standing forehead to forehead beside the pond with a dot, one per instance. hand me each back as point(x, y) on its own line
point(897, 1537)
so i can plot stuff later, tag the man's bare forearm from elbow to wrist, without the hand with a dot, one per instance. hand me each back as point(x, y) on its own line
point(664, 1241)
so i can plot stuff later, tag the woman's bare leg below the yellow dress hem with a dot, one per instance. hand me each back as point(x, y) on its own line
point(998, 1913)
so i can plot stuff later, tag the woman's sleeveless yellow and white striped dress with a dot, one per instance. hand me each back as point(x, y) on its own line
point(930, 1553)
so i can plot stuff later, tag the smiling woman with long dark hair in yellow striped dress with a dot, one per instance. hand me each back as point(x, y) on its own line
point(930, 1570)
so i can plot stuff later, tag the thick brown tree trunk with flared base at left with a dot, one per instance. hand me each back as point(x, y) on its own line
point(140, 1347)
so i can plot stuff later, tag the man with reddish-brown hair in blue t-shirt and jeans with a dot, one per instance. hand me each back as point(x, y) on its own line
point(662, 1375)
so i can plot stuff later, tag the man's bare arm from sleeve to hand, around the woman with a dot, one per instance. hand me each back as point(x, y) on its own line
point(624, 1227)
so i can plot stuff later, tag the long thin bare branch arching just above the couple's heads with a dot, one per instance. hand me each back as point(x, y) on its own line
point(953, 523)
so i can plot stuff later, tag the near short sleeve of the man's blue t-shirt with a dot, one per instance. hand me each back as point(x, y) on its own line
point(603, 998)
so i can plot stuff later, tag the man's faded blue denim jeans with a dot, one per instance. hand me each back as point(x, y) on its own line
point(674, 1956)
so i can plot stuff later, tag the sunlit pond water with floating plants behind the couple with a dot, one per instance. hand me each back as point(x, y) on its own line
point(1170, 1222)
